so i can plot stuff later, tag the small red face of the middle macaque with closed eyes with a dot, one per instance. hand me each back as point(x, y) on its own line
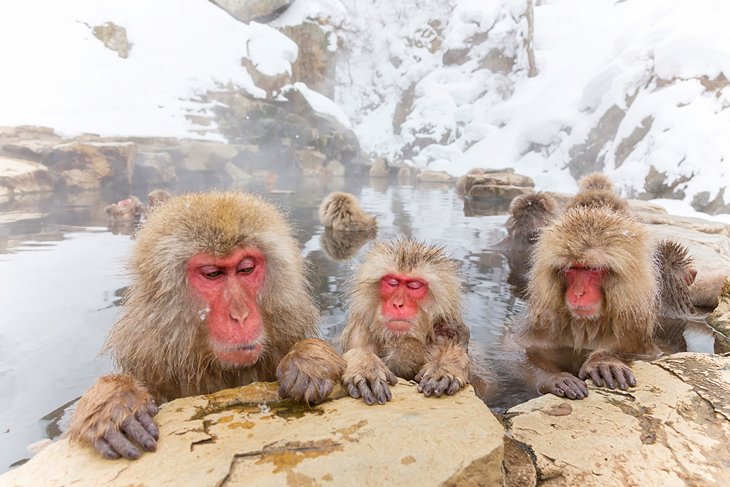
point(401, 297)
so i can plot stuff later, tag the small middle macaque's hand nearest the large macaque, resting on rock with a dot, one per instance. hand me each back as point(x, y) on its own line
point(367, 376)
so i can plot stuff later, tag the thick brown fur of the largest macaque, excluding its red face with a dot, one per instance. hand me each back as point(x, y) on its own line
point(160, 342)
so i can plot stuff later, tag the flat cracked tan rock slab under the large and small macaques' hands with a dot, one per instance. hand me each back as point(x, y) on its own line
point(247, 437)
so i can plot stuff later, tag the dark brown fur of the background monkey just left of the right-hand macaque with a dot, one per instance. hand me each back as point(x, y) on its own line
point(529, 213)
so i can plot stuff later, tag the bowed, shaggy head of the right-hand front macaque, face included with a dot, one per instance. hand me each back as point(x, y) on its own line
point(593, 262)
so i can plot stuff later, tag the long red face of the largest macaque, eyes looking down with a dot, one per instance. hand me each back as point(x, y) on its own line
point(229, 286)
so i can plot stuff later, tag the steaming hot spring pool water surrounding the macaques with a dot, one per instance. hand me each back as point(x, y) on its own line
point(62, 275)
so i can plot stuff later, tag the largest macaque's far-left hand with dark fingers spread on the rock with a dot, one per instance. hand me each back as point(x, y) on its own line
point(113, 414)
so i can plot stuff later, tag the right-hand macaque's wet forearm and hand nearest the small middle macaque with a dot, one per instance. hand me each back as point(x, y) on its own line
point(549, 376)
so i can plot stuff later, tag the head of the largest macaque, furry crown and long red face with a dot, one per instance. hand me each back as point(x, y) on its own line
point(220, 259)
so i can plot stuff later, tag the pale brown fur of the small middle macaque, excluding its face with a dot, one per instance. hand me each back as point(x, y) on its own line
point(439, 324)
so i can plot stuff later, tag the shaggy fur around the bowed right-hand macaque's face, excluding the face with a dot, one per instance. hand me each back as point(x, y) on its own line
point(601, 238)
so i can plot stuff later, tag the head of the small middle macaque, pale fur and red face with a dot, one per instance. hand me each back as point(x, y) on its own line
point(404, 287)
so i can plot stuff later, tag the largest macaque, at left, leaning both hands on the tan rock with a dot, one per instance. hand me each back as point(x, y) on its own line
point(218, 298)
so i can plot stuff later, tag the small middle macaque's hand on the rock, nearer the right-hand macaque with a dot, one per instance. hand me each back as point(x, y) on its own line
point(446, 371)
